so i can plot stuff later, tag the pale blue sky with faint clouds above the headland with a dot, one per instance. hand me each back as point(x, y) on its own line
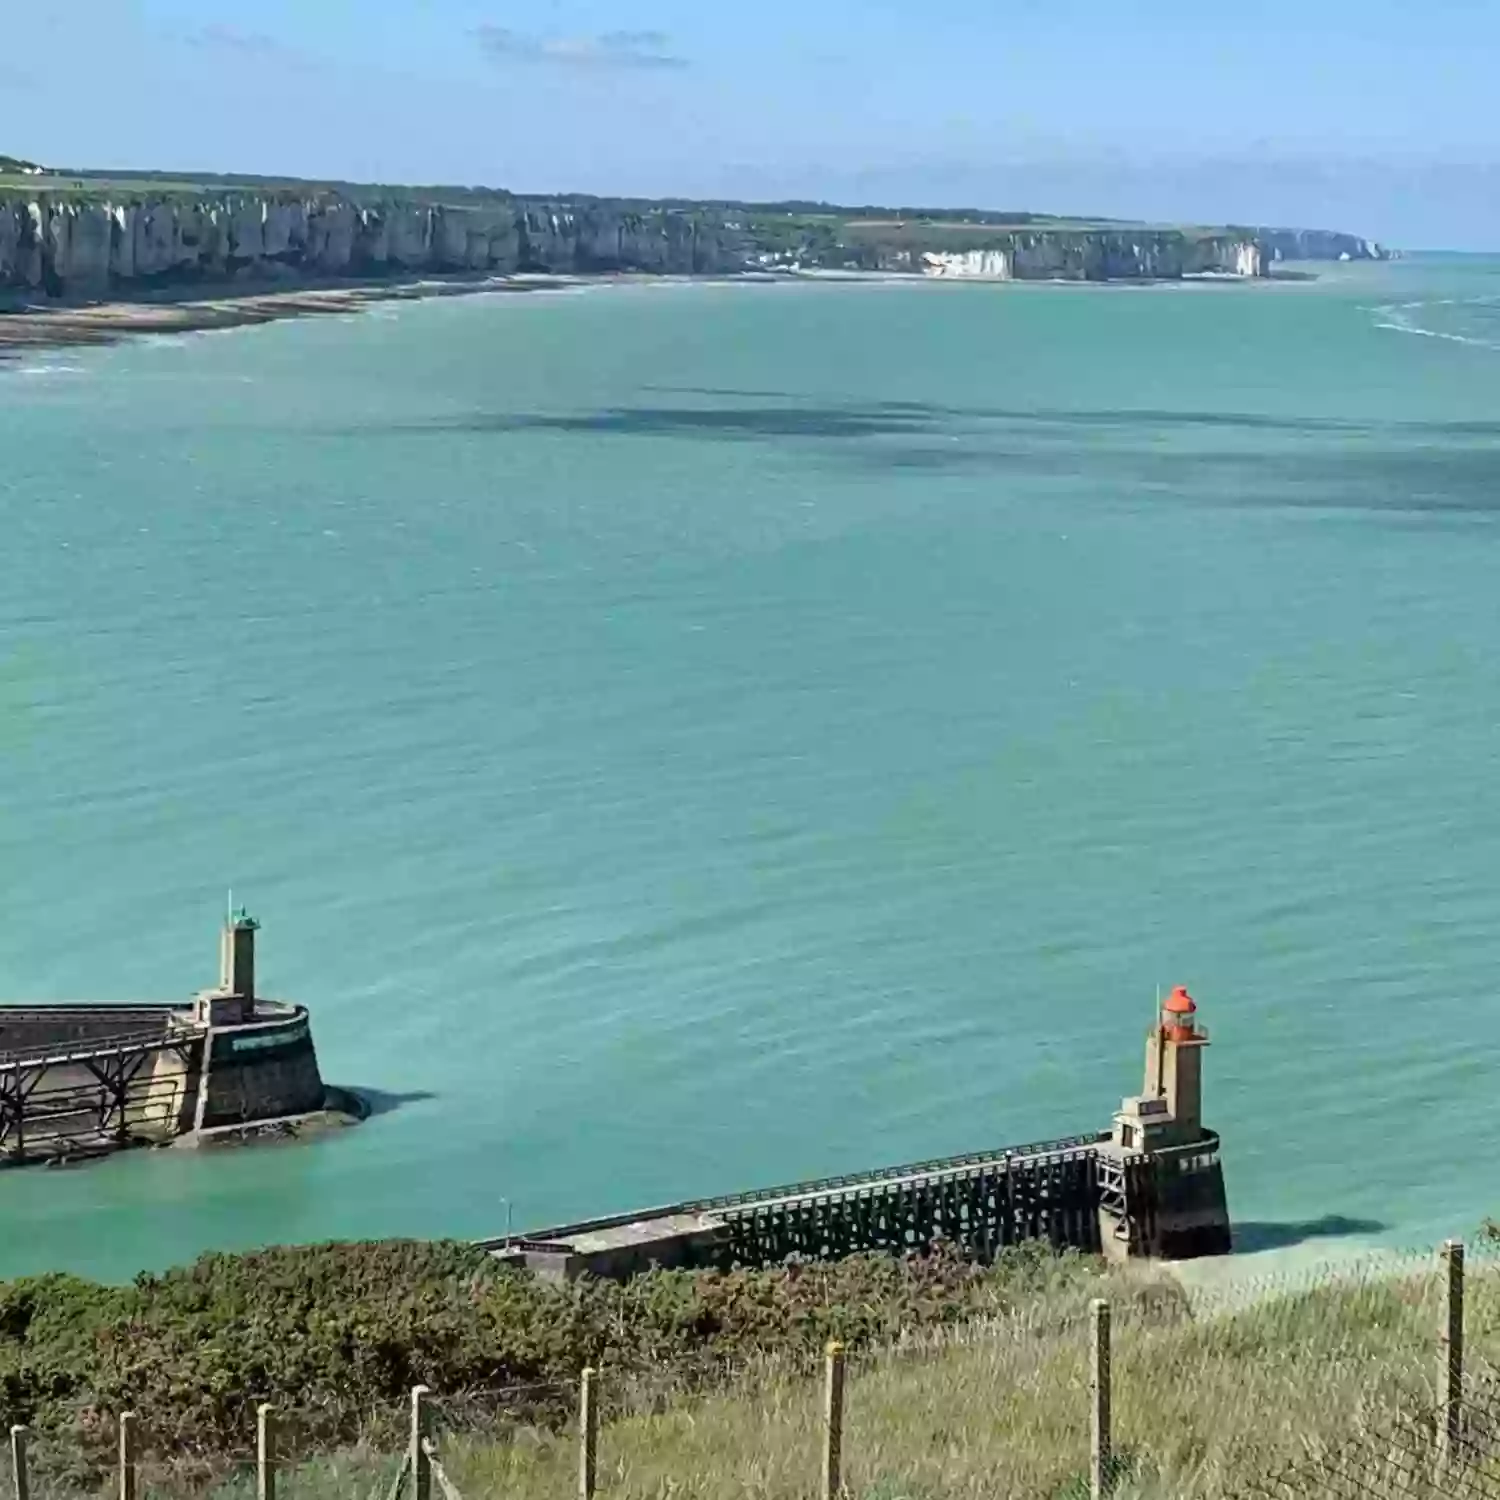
point(1369, 116)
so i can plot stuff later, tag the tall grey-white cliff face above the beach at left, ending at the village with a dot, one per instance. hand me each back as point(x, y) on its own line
point(85, 248)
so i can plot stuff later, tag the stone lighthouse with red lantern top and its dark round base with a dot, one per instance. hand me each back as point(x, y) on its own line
point(1162, 1186)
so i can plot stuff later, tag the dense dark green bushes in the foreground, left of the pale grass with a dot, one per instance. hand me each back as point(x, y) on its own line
point(341, 1333)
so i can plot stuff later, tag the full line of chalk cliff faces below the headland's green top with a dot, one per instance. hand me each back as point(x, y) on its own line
point(82, 247)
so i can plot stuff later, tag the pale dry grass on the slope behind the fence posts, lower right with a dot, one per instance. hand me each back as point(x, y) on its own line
point(1204, 1405)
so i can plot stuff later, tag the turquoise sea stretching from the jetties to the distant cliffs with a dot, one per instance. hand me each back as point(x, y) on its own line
point(685, 739)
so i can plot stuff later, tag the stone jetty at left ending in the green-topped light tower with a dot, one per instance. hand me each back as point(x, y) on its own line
point(86, 1079)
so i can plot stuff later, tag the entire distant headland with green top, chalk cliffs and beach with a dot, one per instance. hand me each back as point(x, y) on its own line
point(196, 251)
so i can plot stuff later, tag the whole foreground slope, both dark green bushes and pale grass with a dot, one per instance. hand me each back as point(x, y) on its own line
point(964, 1381)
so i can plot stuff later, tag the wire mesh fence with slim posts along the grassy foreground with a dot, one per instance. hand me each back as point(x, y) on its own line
point(1373, 1381)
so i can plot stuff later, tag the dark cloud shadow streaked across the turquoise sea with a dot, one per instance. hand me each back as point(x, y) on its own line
point(1400, 466)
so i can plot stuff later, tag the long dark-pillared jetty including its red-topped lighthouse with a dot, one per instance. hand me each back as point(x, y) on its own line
point(1151, 1186)
